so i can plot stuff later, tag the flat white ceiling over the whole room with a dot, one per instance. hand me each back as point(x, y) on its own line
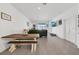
point(46, 12)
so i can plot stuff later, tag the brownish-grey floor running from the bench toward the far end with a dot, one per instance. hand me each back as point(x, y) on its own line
point(48, 46)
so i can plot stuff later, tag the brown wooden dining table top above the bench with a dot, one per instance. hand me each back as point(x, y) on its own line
point(21, 36)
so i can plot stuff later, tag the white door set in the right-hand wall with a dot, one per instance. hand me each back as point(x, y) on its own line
point(69, 30)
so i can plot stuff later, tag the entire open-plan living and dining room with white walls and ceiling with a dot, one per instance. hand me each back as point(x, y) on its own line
point(34, 29)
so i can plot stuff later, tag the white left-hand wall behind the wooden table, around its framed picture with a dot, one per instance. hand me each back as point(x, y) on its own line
point(16, 25)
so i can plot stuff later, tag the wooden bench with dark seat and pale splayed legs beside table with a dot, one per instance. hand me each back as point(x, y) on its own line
point(22, 42)
